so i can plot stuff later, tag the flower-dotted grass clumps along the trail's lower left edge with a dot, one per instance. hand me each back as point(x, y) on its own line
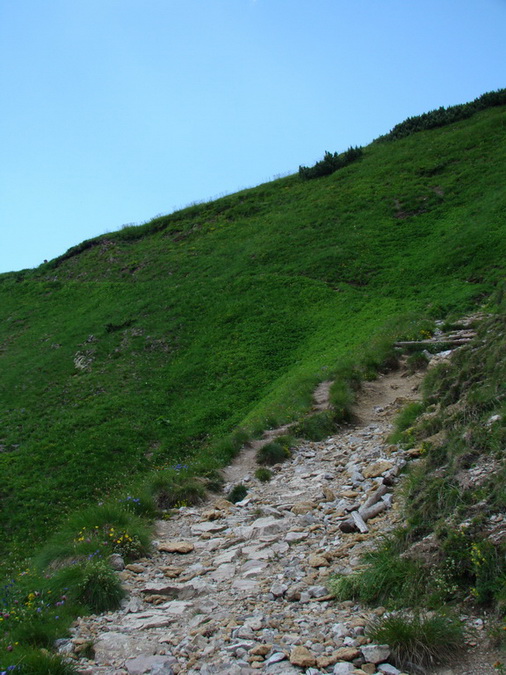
point(71, 575)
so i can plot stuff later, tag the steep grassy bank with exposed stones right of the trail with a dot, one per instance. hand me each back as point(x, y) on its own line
point(452, 549)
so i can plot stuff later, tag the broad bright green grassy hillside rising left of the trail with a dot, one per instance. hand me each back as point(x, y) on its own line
point(143, 348)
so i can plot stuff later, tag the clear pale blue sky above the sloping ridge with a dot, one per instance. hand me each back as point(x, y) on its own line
point(114, 111)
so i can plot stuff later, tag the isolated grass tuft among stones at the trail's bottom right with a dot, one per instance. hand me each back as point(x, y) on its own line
point(419, 641)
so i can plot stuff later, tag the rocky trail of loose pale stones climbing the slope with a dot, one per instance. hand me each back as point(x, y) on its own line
point(244, 588)
